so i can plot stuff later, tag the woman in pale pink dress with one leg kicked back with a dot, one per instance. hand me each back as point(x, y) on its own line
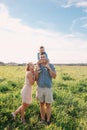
point(26, 92)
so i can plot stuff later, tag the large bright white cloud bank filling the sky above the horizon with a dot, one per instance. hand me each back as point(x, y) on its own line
point(20, 43)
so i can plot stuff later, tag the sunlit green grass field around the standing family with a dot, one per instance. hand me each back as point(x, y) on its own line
point(69, 109)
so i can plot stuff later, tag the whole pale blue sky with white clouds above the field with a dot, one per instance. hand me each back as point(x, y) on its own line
point(59, 25)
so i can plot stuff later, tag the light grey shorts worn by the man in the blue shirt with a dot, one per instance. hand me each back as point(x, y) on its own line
point(44, 95)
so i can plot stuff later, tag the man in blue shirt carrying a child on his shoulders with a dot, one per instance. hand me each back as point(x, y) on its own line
point(44, 91)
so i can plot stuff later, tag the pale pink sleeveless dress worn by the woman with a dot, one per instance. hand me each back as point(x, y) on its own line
point(26, 91)
